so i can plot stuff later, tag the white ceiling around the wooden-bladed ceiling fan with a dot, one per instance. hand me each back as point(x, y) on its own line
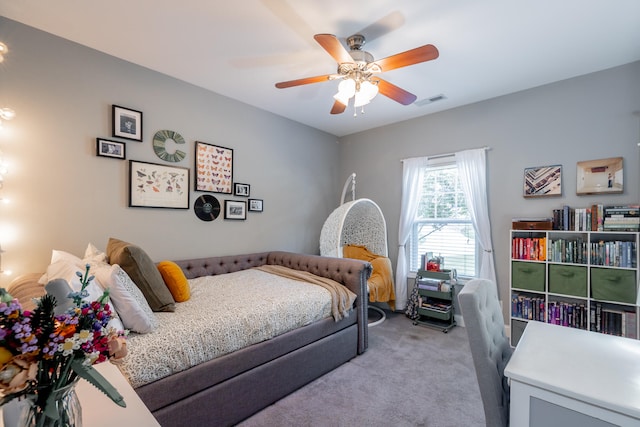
point(240, 49)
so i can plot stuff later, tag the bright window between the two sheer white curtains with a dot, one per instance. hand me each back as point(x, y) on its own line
point(443, 225)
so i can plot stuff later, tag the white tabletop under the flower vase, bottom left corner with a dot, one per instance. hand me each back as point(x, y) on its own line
point(100, 411)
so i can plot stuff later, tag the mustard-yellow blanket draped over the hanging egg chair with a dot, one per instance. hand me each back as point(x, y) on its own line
point(381, 281)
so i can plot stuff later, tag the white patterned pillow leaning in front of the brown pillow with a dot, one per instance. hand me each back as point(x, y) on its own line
point(131, 305)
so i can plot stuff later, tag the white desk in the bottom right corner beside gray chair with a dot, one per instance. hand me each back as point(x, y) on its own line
point(573, 377)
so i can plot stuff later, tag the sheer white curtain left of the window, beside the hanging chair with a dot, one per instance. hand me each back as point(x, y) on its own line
point(412, 176)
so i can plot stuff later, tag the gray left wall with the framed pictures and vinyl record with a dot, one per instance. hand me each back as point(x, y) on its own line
point(64, 197)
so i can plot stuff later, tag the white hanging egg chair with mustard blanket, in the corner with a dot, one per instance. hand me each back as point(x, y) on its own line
point(357, 229)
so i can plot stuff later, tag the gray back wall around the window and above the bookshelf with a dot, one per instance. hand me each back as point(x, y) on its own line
point(585, 118)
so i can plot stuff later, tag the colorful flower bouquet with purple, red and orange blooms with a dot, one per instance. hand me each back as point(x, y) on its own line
point(50, 348)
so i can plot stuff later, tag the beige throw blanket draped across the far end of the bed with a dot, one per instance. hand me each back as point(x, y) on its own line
point(341, 297)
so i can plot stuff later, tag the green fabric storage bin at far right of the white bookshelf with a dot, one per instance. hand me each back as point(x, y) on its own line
point(611, 284)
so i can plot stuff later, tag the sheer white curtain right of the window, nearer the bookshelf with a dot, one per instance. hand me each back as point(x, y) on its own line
point(472, 170)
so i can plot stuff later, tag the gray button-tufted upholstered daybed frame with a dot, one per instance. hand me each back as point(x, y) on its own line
point(231, 388)
